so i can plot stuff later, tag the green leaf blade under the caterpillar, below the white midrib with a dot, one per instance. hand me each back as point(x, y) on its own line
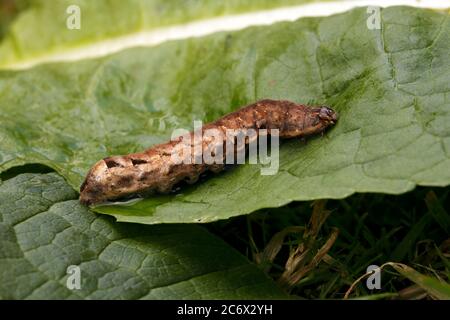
point(391, 87)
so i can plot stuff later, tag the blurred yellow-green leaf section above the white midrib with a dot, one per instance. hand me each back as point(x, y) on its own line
point(41, 31)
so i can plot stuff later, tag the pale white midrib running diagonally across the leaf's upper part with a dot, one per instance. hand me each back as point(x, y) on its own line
point(226, 23)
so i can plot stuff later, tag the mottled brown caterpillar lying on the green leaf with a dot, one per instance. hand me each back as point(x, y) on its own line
point(154, 169)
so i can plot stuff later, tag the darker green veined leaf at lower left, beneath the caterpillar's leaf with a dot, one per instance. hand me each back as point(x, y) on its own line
point(43, 231)
